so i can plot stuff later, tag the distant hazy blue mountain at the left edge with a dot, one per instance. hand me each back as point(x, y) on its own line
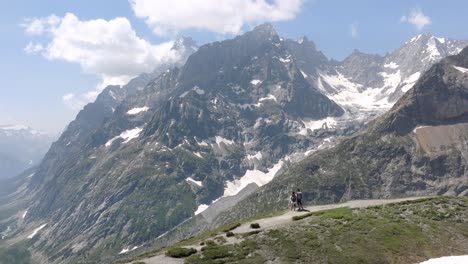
point(20, 148)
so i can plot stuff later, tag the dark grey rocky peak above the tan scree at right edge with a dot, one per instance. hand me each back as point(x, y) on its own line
point(440, 97)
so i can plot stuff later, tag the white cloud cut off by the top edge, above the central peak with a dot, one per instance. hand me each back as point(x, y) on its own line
point(226, 16)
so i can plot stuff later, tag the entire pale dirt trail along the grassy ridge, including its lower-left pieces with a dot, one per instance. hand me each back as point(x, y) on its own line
point(276, 221)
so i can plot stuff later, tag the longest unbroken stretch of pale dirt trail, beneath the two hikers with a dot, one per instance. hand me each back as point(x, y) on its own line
point(286, 218)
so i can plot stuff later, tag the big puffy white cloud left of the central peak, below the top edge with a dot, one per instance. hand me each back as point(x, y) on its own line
point(109, 49)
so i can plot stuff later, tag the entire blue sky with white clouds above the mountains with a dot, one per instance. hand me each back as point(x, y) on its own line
point(58, 55)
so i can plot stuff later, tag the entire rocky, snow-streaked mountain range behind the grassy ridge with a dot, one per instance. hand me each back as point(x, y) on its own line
point(194, 141)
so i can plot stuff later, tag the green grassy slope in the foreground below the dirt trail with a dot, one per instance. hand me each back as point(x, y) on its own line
point(406, 232)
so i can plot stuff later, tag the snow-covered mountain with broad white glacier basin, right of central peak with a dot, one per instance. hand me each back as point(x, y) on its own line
point(373, 82)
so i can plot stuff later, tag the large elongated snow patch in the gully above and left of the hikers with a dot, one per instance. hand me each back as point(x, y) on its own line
point(252, 176)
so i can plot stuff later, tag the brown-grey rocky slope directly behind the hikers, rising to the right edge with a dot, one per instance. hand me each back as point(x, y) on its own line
point(417, 148)
